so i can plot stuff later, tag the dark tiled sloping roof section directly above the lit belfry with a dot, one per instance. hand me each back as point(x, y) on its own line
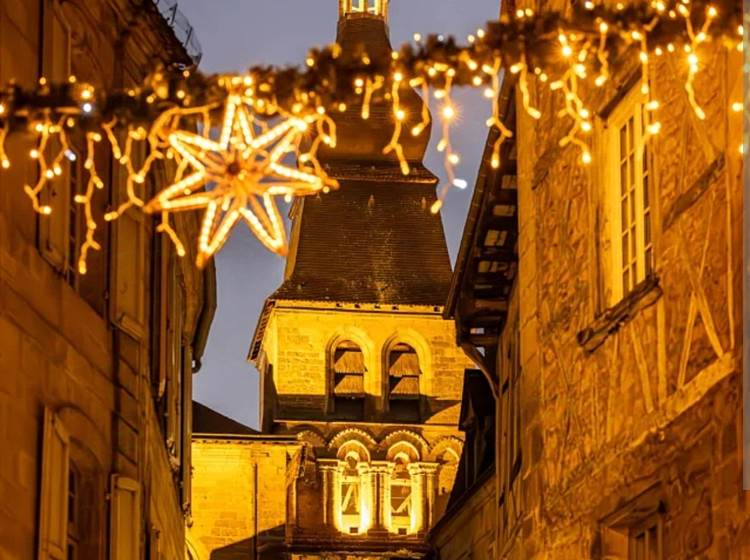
point(369, 242)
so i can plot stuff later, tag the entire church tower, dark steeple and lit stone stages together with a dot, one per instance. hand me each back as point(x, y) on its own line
point(355, 357)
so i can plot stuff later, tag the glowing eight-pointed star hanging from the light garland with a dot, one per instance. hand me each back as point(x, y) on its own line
point(237, 177)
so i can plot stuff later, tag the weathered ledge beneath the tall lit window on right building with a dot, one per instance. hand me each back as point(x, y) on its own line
point(610, 320)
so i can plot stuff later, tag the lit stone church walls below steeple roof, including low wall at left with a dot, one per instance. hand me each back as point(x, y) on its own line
point(317, 484)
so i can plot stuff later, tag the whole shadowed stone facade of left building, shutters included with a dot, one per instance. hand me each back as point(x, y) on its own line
point(94, 417)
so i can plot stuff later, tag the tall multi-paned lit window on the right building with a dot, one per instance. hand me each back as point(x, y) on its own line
point(630, 184)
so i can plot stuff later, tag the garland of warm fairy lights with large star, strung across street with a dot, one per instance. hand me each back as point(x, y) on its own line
point(232, 144)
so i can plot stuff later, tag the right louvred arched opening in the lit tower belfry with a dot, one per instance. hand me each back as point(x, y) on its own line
point(403, 383)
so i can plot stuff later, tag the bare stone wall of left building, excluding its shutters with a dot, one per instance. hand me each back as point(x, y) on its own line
point(61, 347)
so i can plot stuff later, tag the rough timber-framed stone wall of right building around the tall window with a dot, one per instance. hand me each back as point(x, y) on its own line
point(645, 408)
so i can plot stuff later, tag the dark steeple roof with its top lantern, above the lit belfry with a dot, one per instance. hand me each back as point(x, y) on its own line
point(374, 240)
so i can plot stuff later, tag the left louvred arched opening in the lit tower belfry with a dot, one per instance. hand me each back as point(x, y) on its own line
point(348, 382)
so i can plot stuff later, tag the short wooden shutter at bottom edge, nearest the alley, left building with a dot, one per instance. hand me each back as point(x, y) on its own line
point(125, 522)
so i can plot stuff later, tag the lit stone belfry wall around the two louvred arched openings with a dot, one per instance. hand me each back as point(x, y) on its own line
point(298, 342)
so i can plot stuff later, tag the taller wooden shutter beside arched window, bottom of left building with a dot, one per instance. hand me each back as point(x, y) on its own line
point(53, 496)
